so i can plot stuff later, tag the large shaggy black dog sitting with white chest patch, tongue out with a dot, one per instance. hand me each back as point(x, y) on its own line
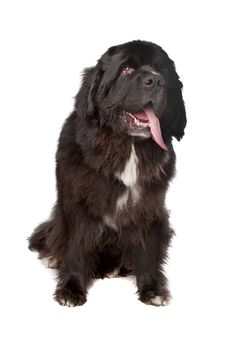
point(114, 162)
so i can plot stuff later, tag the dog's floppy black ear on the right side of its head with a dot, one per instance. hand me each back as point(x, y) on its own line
point(179, 120)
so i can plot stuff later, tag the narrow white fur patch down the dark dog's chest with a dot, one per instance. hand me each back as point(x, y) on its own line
point(131, 195)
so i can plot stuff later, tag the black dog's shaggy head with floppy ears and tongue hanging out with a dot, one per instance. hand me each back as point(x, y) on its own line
point(135, 89)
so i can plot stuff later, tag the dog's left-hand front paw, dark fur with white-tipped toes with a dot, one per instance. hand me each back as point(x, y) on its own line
point(66, 297)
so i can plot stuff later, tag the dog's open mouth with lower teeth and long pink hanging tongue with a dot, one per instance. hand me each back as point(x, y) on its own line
point(145, 123)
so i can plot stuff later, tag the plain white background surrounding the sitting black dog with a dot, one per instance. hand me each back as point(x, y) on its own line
point(44, 47)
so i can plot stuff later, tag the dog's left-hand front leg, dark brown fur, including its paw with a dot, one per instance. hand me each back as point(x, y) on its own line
point(78, 264)
